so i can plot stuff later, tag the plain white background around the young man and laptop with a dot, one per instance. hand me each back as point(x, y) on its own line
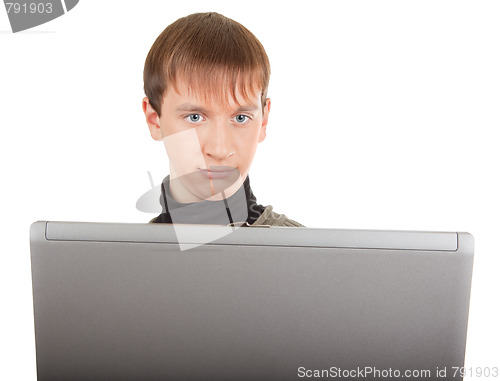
point(385, 115)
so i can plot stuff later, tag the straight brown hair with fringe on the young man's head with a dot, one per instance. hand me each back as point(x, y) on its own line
point(211, 53)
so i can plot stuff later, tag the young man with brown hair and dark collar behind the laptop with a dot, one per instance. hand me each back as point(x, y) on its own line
point(206, 79)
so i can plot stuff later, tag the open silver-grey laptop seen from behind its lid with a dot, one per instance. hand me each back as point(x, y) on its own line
point(115, 301)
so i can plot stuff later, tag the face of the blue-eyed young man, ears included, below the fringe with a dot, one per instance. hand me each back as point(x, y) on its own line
point(210, 146)
